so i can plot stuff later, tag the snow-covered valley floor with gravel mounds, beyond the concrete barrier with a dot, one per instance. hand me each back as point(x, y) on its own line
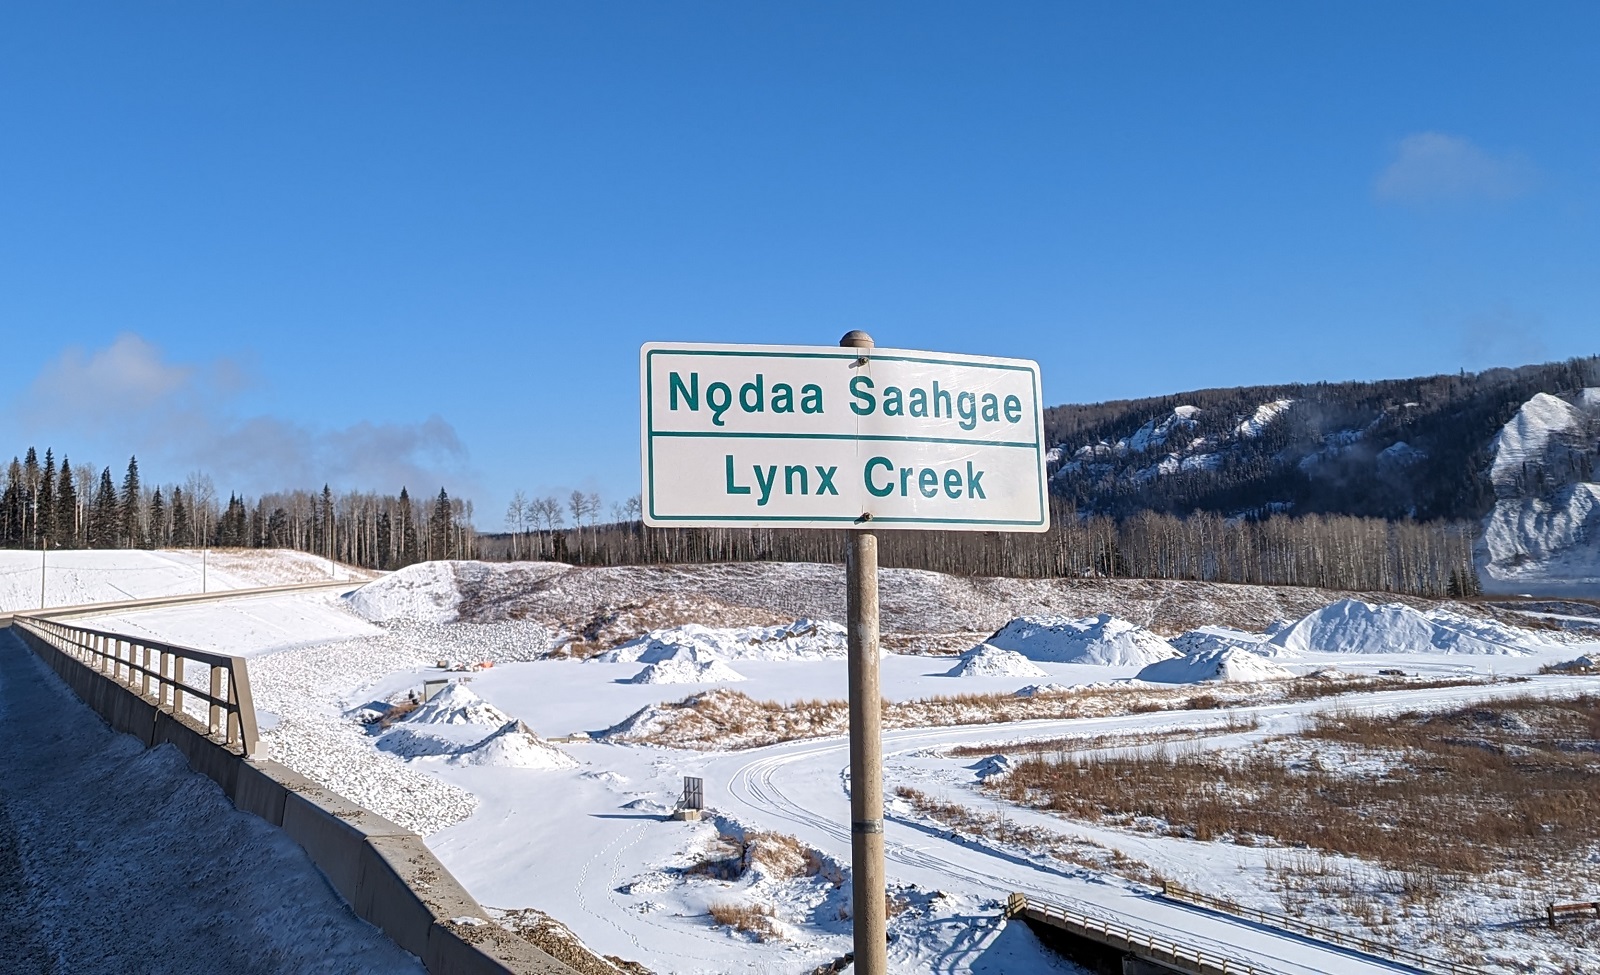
point(591, 845)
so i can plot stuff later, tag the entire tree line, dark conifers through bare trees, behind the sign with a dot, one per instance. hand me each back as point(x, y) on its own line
point(44, 505)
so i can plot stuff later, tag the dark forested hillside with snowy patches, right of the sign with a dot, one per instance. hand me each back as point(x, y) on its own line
point(1396, 449)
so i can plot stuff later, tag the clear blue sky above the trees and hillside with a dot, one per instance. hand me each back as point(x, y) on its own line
point(410, 243)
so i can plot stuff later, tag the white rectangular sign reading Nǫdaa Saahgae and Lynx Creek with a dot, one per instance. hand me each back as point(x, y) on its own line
point(822, 436)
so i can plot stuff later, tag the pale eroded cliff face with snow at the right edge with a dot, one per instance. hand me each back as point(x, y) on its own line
point(1543, 536)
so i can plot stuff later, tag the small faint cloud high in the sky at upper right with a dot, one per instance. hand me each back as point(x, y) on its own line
point(1434, 167)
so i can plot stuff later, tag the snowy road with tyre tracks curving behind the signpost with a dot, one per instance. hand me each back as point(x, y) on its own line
point(802, 788)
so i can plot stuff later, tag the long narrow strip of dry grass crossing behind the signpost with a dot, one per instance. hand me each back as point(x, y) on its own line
point(727, 720)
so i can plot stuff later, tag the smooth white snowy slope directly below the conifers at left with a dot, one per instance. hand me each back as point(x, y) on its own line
point(84, 577)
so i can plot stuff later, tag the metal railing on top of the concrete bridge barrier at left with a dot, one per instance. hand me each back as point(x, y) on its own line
point(159, 673)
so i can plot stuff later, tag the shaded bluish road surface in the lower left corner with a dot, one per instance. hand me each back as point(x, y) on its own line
point(118, 859)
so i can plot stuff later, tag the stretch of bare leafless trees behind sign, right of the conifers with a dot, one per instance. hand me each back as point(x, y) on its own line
point(1330, 552)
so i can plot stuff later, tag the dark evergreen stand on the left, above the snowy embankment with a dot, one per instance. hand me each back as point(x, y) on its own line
point(46, 505)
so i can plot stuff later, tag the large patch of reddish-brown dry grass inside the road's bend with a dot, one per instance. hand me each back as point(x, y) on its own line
point(1465, 793)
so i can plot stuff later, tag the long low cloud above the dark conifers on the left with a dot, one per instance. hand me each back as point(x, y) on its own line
point(129, 398)
